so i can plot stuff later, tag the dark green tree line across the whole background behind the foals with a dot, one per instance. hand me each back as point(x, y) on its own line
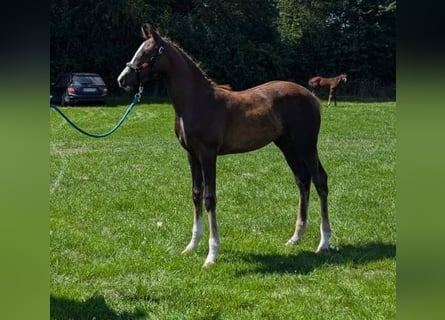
point(241, 43)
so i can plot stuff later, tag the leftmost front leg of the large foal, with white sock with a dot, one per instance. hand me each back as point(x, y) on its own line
point(197, 190)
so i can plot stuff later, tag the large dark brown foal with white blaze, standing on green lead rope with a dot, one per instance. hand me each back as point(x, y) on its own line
point(212, 120)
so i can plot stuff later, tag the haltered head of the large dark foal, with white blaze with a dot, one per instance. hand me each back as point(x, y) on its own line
point(146, 62)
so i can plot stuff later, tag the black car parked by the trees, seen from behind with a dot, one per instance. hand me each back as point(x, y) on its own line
point(76, 88)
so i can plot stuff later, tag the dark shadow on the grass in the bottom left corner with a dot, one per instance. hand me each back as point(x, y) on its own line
point(93, 308)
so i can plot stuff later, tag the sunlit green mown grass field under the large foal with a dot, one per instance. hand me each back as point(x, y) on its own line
point(121, 213)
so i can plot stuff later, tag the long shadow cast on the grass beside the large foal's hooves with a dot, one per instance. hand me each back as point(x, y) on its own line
point(307, 261)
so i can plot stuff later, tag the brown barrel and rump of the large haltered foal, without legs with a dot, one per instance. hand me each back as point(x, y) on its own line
point(259, 115)
